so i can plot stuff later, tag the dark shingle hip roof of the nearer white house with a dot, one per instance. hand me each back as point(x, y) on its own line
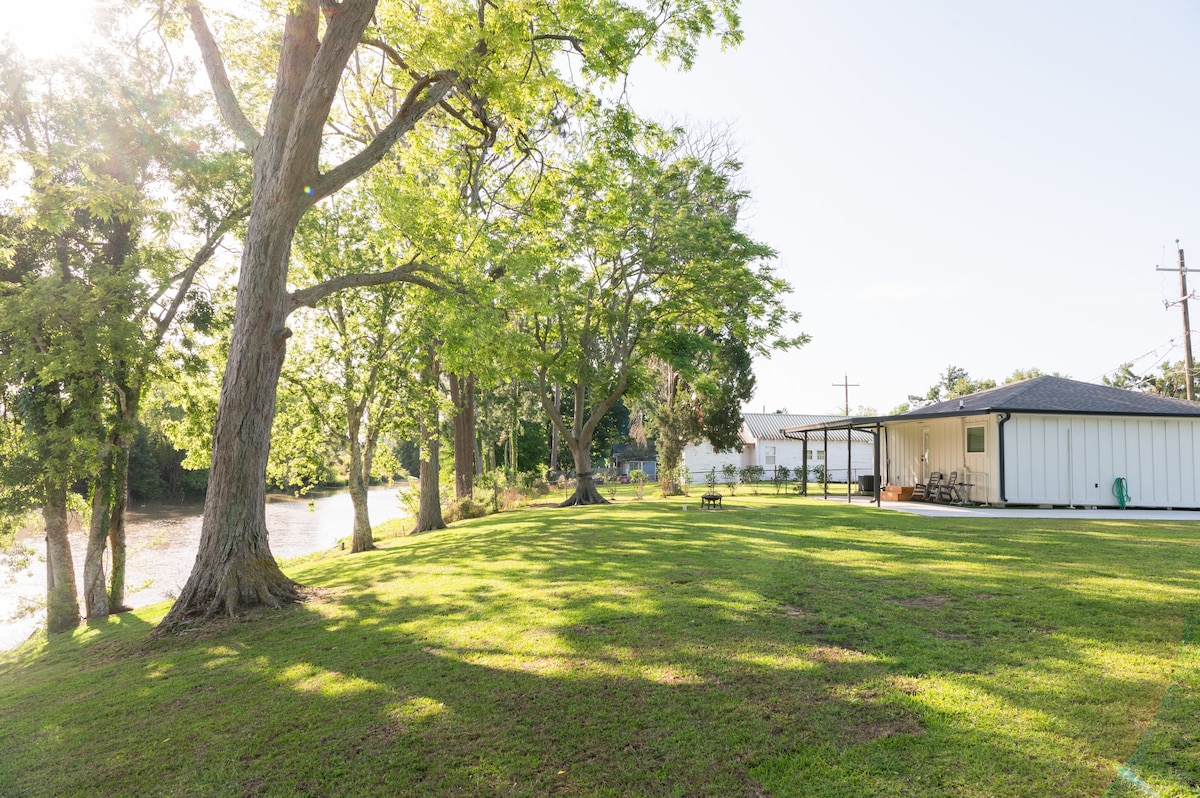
point(1059, 395)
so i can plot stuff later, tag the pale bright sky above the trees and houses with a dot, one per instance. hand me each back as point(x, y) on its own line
point(974, 184)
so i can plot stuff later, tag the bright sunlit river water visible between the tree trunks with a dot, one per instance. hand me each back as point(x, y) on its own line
point(163, 541)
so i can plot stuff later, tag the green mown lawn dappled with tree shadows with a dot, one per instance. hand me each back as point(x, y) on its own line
point(779, 647)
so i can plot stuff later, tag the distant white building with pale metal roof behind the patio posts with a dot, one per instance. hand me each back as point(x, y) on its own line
point(764, 445)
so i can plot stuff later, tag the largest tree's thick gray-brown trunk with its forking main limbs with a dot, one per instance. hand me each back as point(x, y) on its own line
point(235, 568)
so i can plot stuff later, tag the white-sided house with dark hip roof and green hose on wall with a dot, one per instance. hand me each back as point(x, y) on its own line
point(1046, 441)
